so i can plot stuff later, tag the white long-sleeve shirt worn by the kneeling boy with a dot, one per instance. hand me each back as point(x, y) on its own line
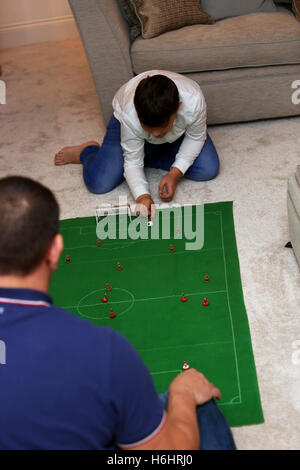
point(190, 120)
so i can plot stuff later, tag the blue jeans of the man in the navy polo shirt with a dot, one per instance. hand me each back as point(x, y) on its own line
point(215, 434)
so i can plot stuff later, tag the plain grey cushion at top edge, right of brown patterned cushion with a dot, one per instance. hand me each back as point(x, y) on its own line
point(226, 8)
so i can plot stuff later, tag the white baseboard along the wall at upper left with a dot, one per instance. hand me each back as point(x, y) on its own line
point(29, 32)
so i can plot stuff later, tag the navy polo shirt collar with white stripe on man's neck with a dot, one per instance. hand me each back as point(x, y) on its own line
point(28, 297)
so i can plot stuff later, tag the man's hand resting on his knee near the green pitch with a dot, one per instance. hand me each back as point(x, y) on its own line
point(192, 382)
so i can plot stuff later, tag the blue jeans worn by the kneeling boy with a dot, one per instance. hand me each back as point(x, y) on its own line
point(103, 167)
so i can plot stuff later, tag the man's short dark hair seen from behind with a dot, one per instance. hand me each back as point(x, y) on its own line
point(29, 220)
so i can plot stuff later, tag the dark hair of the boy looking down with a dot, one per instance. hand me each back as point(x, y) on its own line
point(156, 99)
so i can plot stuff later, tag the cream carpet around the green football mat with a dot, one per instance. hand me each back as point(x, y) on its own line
point(51, 102)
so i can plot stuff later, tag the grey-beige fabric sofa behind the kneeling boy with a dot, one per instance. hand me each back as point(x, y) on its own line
point(244, 65)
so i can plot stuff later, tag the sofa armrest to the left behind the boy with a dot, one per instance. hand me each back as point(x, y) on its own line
point(105, 36)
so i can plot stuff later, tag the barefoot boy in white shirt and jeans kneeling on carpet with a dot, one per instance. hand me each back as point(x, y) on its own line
point(159, 121)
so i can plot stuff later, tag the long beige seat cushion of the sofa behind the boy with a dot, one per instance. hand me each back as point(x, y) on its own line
point(253, 40)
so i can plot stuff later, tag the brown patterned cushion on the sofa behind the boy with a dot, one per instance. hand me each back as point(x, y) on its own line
point(158, 16)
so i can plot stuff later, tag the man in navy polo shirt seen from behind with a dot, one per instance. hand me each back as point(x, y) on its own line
point(66, 383)
